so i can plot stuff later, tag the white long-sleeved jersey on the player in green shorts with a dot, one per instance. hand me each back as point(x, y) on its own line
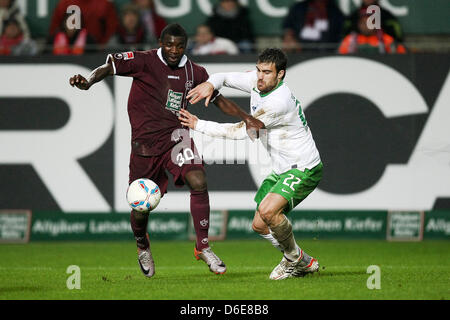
point(289, 141)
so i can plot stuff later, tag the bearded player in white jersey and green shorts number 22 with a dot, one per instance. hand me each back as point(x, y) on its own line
point(296, 163)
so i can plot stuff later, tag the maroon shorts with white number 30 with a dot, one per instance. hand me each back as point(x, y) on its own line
point(178, 160)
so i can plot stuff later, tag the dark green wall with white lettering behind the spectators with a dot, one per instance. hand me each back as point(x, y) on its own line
point(426, 26)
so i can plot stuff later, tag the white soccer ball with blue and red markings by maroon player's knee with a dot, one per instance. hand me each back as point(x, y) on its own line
point(143, 195)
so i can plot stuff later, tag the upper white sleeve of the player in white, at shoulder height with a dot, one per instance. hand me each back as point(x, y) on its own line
point(243, 81)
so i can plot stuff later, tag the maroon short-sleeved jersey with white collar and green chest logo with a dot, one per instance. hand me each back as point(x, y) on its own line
point(157, 94)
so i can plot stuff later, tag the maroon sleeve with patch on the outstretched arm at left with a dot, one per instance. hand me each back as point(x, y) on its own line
point(128, 64)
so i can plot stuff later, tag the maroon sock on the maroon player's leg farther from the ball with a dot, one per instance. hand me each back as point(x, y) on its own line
point(200, 217)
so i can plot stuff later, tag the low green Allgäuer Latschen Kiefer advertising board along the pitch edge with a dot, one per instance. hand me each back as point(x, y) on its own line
point(233, 224)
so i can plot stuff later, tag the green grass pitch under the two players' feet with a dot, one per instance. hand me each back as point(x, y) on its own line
point(109, 270)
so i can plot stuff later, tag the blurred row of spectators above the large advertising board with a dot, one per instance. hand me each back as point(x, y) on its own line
point(310, 26)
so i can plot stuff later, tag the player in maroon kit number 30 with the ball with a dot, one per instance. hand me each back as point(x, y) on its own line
point(161, 80)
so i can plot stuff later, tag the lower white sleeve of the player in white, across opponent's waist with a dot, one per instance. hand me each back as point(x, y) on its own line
point(235, 131)
